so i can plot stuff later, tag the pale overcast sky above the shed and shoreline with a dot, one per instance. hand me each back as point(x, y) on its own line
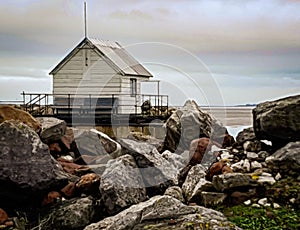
point(217, 52)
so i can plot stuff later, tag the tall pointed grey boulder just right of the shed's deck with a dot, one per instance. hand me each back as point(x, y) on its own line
point(189, 123)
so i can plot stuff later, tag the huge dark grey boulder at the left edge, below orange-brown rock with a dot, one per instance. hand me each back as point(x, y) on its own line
point(27, 170)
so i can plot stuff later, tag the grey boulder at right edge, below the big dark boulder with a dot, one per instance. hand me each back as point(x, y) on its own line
point(286, 160)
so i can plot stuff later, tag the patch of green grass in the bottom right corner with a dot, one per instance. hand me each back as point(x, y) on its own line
point(262, 218)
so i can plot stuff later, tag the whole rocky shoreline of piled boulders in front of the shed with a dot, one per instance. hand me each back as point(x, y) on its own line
point(58, 177)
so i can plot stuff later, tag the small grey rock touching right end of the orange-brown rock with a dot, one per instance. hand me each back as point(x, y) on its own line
point(52, 129)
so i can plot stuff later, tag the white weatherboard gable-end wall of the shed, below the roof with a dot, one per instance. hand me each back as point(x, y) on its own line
point(96, 78)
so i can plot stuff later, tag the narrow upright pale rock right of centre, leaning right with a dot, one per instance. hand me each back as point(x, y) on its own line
point(194, 175)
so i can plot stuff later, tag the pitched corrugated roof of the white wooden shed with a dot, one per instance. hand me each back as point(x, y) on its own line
point(114, 54)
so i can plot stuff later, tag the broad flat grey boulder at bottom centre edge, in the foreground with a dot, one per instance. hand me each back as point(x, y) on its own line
point(164, 212)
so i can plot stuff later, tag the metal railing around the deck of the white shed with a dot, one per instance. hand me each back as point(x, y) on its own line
point(84, 104)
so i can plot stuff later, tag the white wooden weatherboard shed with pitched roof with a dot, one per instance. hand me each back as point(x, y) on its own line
point(99, 73)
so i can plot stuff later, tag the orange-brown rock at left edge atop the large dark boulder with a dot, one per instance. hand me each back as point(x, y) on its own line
point(13, 113)
